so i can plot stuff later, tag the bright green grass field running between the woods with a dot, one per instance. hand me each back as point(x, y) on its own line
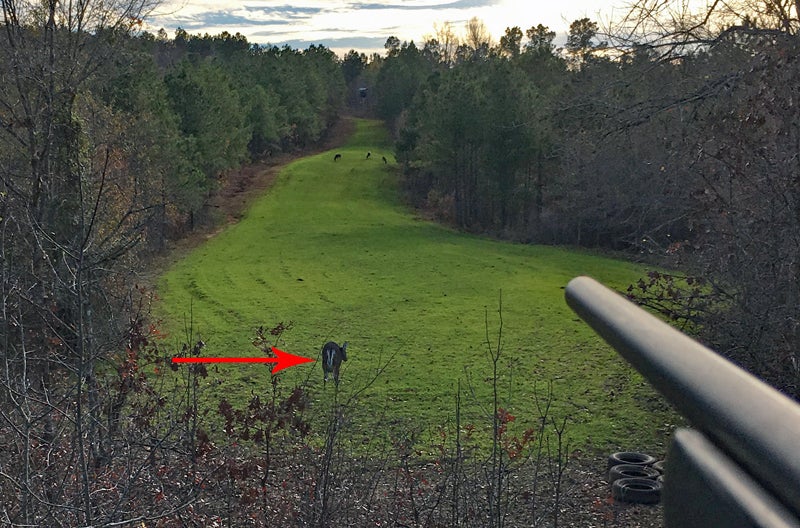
point(331, 248)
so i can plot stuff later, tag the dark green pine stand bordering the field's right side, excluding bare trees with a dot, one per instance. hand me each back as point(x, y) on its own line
point(505, 138)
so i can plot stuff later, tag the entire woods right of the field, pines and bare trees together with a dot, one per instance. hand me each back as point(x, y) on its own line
point(678, 144)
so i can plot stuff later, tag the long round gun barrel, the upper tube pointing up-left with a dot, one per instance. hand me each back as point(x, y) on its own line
point(753, 423)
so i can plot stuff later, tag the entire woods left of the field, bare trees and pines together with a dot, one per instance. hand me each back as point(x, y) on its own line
point(111, 141)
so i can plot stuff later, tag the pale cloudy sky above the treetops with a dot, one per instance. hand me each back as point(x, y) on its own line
point(364, 25)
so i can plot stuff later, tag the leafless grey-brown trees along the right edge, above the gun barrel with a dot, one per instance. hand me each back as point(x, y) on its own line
point(737, 64)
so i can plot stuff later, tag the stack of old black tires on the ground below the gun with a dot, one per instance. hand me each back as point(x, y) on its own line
point(635, 477)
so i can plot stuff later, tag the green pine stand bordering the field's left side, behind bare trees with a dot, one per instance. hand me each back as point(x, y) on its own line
point(214, 103)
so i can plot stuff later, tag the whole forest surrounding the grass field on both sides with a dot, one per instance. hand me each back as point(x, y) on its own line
point(671, 138)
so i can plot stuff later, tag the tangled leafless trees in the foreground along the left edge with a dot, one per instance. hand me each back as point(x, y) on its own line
point(70, 214)
